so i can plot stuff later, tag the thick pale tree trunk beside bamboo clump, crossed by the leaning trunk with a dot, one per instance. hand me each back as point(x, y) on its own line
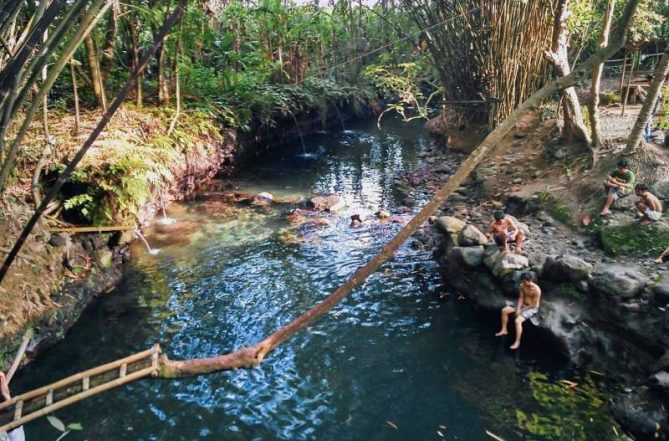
point(558, 57)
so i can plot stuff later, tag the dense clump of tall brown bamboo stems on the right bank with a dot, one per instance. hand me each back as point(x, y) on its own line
point(494, 51)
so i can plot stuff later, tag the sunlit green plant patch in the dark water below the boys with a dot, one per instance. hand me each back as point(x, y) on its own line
point(566, 411)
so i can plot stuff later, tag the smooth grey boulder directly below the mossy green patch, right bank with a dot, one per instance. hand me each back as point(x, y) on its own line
point(617, 280)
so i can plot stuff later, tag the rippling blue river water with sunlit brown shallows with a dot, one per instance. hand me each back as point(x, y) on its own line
point(392, 362)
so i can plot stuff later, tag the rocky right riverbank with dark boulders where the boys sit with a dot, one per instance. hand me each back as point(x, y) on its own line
point(604, 304)
